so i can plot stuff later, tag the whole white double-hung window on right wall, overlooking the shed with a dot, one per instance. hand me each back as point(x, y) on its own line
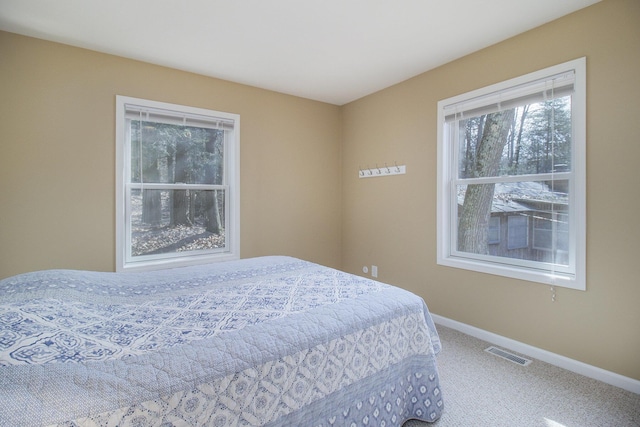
point(516, 148)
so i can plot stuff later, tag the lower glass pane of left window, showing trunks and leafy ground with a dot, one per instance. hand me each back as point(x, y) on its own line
point(177, 221)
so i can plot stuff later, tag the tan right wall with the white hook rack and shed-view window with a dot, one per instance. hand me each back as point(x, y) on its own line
point(391, 222)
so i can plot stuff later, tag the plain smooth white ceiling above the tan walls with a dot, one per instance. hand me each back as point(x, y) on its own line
point(334, 51)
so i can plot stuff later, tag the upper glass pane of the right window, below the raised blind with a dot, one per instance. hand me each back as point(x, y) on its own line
point(530, 139)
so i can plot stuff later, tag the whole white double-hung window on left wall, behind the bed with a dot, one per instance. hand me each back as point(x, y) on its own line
point(177, 177)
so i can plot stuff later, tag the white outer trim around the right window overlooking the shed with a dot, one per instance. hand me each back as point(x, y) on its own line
point(575, 276)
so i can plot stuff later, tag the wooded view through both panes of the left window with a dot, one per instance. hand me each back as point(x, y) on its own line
point(176, 220)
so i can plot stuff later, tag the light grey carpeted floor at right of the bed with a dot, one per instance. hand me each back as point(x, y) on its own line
point(480, 389)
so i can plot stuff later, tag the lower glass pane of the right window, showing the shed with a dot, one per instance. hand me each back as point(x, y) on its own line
point(534, 214)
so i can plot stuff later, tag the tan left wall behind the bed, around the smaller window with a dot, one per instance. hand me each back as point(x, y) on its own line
point(57, 154)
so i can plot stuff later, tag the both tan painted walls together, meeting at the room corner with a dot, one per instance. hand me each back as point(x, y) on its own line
point(300, 191)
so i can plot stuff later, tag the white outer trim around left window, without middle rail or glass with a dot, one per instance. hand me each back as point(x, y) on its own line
point(232, 169)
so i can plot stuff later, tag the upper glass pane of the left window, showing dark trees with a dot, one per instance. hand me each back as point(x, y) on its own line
point(165, 153)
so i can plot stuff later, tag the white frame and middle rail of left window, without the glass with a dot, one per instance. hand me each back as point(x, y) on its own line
point(125, 262)
